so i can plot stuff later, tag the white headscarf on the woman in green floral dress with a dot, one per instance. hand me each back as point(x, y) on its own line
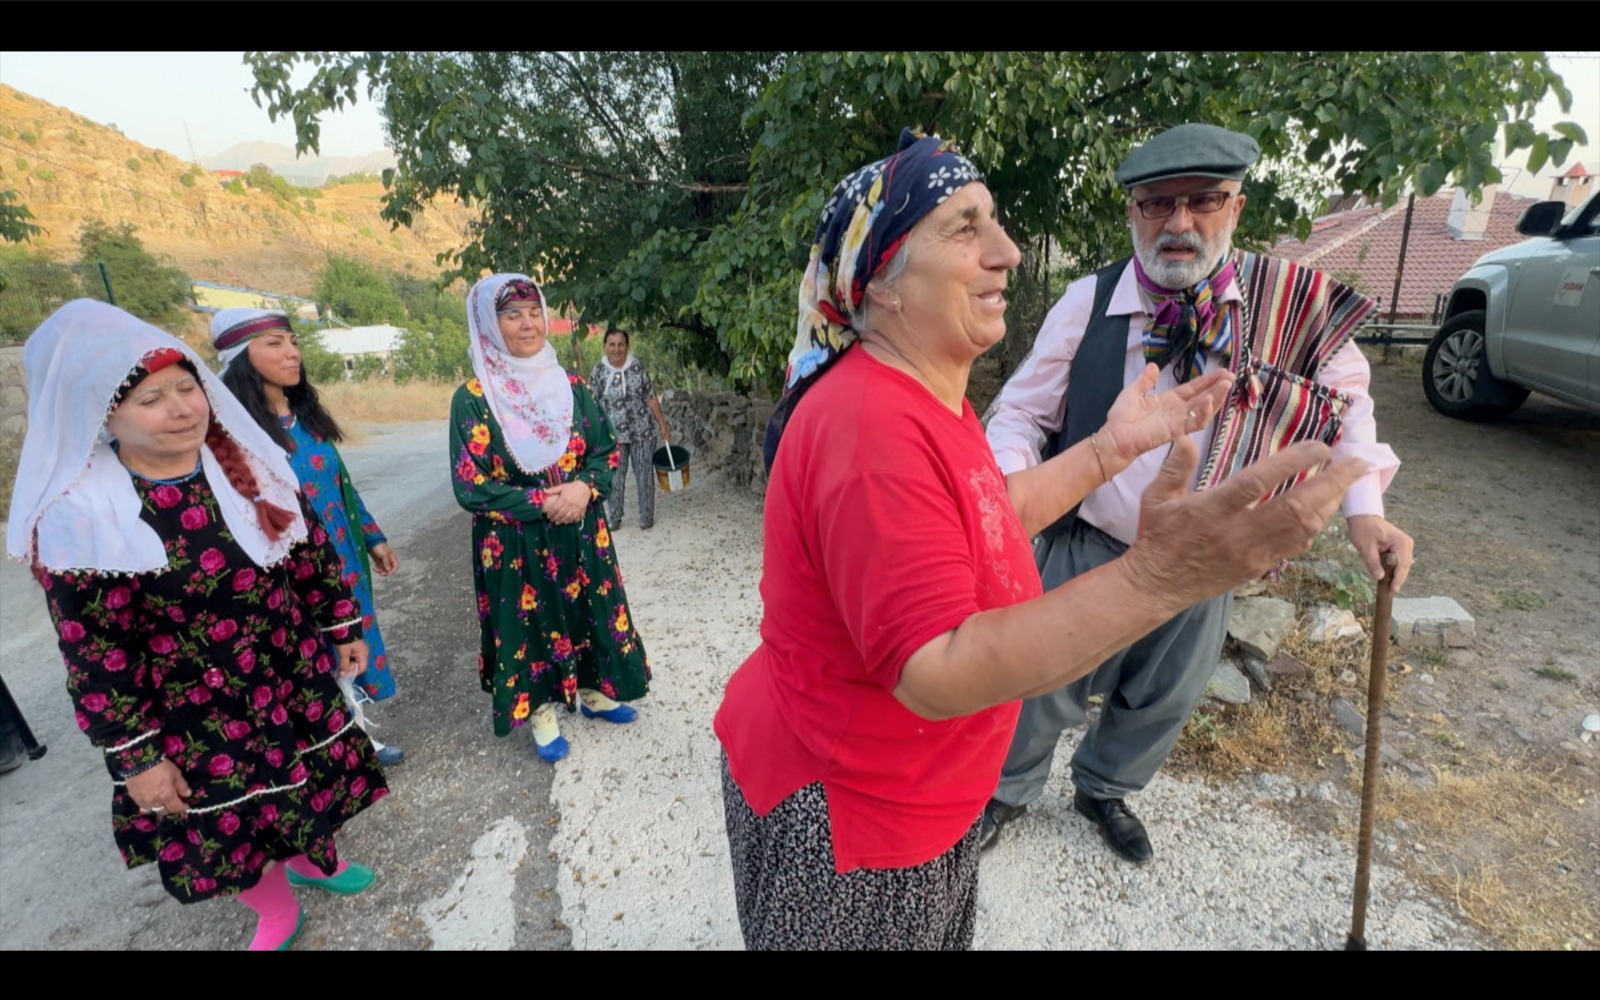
point(532, 399)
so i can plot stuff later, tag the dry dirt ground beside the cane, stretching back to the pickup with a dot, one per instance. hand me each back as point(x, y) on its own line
point(1492, 788)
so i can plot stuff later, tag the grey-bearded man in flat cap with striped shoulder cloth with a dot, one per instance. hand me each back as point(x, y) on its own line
point(1186, 302)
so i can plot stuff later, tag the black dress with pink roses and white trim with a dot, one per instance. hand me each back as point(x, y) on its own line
point(222, 668)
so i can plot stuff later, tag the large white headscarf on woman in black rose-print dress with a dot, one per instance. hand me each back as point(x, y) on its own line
point(74, 505)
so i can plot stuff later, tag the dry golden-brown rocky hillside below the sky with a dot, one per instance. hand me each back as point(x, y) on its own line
point(68, 169)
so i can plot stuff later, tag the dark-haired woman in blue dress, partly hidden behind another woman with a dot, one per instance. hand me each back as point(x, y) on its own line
point(262, 367)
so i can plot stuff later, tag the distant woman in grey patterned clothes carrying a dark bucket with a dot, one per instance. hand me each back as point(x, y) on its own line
point(623, 388)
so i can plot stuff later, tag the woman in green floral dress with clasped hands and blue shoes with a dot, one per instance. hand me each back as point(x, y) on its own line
point(532, 458)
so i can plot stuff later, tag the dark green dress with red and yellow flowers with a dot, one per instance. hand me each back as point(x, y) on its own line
point(551, 606)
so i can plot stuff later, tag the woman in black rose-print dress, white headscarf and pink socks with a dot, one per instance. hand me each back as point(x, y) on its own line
point(191, 591)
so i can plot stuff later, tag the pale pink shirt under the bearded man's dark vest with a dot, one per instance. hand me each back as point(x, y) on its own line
point(1033, 406)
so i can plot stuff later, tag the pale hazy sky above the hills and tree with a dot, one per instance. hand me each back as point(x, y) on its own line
point(153, 97)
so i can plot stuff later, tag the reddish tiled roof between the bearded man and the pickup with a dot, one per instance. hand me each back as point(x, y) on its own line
point(1364, 246)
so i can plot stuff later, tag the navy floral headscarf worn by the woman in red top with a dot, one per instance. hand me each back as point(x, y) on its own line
point(865, 223)
